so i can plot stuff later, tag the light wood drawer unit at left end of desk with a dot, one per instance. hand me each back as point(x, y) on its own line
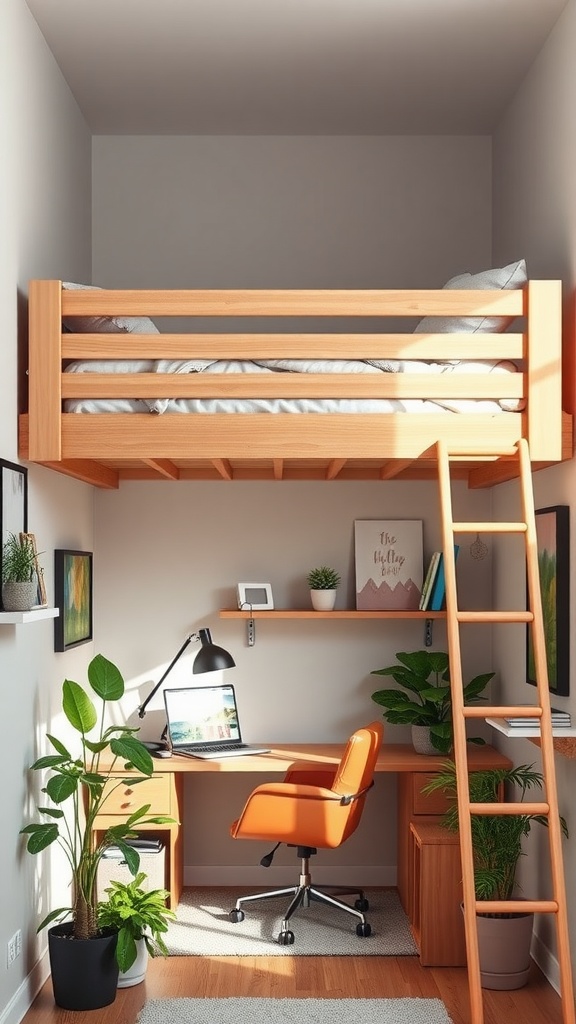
point(164, 794)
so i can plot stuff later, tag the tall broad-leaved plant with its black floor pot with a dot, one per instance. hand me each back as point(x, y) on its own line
point(83, 955)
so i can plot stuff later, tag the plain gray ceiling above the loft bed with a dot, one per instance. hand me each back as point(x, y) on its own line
point(295, 67)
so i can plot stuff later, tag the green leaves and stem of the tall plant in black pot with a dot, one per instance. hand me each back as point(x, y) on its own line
point(85, 781)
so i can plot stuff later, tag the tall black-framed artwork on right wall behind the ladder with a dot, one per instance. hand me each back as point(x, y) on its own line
point(553, 533)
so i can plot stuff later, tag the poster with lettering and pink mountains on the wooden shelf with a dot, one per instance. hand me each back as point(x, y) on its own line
point(389, 565)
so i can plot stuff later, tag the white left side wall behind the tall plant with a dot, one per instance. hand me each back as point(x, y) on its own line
point(46, 219)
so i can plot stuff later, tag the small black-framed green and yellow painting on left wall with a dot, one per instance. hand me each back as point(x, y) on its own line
point(73, 594)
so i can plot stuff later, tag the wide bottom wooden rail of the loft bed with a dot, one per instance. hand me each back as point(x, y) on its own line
point(281, 437)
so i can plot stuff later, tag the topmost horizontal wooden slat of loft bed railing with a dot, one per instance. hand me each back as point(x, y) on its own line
point(278, 303)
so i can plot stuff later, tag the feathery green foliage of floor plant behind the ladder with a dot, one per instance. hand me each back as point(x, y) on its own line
point(497, 838)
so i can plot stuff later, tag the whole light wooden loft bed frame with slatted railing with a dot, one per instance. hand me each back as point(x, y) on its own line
point(106, 449)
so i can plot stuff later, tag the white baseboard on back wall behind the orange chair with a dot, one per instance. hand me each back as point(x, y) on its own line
point(254, 875)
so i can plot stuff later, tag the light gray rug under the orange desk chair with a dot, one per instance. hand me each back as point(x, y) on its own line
point(203, 928)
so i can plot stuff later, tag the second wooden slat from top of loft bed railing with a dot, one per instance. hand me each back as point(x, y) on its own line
point(294, 347)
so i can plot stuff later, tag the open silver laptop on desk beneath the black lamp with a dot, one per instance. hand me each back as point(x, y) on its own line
point(203, 722)
